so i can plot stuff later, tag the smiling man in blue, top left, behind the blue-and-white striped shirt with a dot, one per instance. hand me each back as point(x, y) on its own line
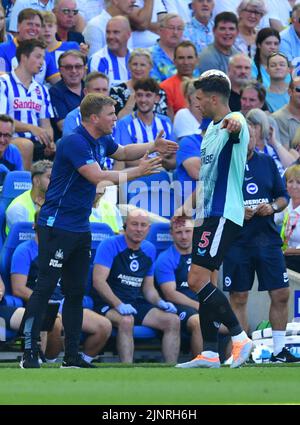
point(30, 24)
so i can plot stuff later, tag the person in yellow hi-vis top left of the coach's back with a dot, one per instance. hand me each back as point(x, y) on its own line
point(24, 206)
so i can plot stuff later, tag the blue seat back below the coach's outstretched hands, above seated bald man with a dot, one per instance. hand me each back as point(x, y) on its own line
point(152, 193)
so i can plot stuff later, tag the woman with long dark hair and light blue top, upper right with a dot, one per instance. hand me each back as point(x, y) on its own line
point(267, 42)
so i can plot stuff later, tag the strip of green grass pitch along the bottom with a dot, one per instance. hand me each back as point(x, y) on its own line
point(149, 384)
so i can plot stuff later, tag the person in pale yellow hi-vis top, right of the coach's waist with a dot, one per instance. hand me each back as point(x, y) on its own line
point(105, 212)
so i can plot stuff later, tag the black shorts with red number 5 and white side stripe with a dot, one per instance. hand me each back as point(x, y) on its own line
point(212, 240)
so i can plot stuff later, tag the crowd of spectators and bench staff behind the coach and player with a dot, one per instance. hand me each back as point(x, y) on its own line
point(144, 54)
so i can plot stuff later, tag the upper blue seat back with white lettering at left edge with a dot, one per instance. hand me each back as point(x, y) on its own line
point(15, 183)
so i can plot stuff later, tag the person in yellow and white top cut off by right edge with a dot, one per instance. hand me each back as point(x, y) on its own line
point(290, 232)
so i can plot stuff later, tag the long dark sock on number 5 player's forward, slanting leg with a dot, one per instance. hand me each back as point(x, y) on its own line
point(219, 308)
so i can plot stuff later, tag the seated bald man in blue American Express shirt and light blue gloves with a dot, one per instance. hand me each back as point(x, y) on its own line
point(123, 272)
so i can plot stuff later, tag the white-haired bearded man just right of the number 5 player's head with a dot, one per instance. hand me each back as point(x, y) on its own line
point(239, 69)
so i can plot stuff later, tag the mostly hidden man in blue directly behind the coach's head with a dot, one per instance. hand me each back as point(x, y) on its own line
point(94, 82)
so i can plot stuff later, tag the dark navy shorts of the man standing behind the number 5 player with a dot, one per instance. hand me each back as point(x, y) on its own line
point(241, 263)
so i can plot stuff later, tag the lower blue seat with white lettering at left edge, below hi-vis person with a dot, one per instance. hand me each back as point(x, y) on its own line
point(19, 232)
